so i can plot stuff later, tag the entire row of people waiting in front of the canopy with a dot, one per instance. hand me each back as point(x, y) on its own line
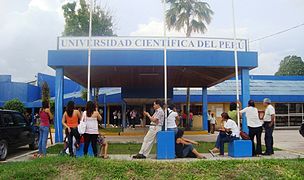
point(183, 147)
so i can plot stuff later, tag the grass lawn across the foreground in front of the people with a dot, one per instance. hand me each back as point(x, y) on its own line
point(60, 167)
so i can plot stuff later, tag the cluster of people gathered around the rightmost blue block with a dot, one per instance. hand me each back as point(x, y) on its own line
point(255, 123)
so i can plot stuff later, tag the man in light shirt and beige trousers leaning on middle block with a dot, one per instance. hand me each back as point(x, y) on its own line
point(157, 121)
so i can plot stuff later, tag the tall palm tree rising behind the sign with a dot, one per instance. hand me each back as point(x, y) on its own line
point(190, 16)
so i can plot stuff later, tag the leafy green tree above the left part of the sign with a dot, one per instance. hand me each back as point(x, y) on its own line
point(77, 20)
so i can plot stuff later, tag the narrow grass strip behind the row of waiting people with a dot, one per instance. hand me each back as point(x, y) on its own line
point(133, 148)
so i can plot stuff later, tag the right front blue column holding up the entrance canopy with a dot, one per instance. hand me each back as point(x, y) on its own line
point(245, 95)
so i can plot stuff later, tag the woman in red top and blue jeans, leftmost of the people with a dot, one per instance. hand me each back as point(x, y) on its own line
point(45, 117)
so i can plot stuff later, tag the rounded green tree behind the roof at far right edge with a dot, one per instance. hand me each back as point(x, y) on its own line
point(291, 66)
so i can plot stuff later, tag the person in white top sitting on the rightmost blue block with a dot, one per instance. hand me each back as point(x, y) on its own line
point(229, 133)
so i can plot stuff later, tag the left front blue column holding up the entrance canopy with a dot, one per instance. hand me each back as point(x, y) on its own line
point(58, 104)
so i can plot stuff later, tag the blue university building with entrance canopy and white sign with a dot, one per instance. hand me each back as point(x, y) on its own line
point(129, 73)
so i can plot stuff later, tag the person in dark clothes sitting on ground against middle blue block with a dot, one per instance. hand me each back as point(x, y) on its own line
point(184, 147)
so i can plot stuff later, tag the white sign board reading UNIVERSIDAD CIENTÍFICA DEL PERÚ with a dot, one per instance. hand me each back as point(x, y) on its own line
point(149, 43)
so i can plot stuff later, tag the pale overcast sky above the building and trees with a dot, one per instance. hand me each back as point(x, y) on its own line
point(29, 29)
